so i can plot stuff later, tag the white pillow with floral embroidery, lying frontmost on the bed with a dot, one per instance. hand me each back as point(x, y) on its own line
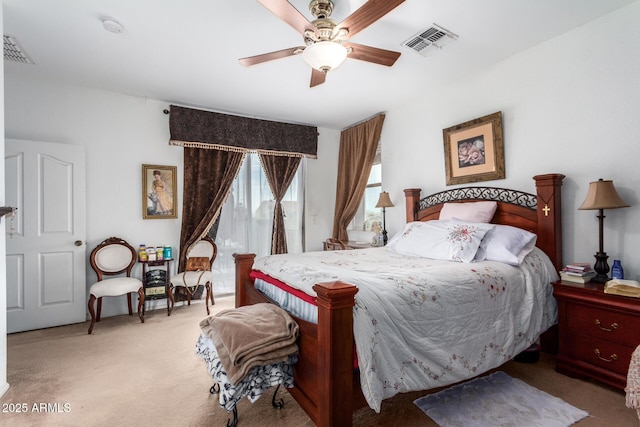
point(443, 240)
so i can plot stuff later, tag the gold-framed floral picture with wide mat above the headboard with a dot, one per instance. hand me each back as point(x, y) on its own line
point(474, 151)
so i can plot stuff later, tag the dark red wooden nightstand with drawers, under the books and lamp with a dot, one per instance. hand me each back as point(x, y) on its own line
point(597, 332)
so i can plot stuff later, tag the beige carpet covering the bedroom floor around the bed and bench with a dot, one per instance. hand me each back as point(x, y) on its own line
point(128, 373)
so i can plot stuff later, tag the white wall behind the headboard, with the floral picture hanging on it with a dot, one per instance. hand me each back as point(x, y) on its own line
point(569, 105)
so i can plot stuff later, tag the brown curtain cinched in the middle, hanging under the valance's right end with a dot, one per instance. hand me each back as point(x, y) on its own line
point(280, 171)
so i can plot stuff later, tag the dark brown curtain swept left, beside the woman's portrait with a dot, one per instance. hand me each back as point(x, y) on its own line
point(208, 176)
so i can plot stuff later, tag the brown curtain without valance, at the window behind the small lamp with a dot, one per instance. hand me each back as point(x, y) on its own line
point(358, 146)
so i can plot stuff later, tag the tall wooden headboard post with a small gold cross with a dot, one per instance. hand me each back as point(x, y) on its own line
point(548, 190)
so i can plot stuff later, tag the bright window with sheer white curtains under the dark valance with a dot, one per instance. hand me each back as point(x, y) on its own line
point(246, 220)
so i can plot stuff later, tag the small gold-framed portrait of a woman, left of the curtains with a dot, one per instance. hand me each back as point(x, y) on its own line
point(159, 192)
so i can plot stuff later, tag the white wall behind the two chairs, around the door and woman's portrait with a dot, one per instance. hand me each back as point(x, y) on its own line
point(119, 133)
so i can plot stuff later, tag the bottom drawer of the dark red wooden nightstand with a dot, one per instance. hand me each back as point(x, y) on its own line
point(605, 354)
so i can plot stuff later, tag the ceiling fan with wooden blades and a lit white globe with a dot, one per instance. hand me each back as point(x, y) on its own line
point(326, 41)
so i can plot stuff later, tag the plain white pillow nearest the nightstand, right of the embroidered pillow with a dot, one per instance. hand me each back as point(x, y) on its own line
point(506, 244)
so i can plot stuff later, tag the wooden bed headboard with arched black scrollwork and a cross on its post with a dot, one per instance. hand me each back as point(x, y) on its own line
point(540, 213)
